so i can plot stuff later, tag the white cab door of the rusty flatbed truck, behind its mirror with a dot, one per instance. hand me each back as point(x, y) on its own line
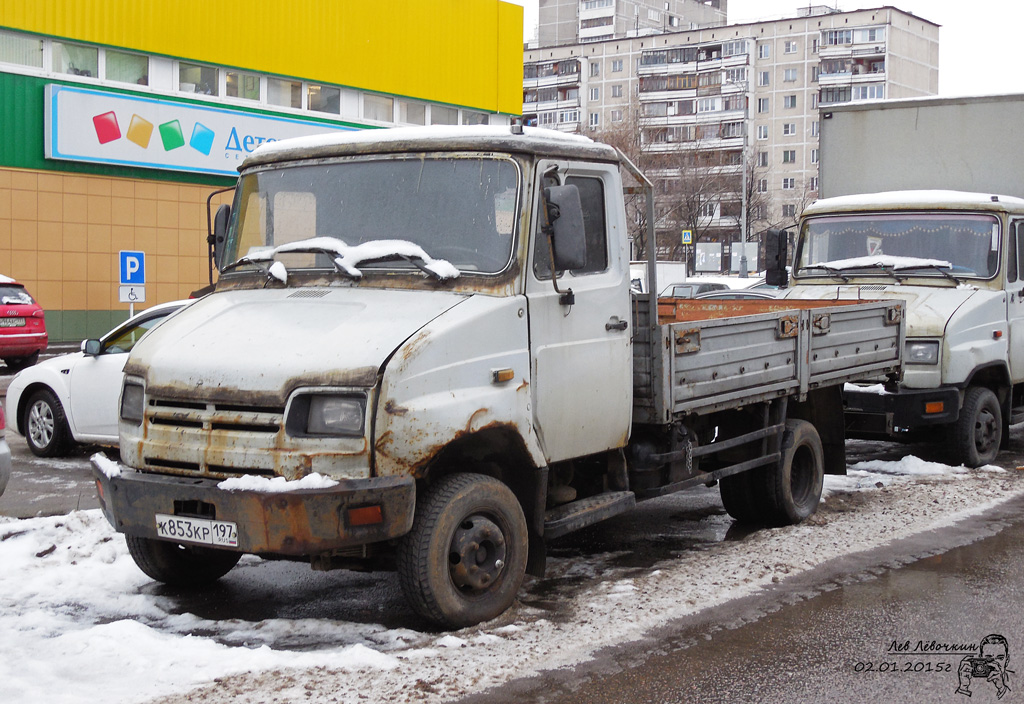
point(581, 354)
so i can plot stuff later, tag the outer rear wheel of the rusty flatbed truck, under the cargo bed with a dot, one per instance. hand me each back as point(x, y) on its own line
point(793, 489)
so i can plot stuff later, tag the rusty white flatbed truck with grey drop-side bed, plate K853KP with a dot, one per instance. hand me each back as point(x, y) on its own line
point(423, 355)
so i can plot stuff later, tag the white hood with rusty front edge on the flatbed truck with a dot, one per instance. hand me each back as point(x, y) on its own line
point(270, 342)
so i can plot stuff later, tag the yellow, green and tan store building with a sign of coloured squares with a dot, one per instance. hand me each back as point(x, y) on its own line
point(115, 133)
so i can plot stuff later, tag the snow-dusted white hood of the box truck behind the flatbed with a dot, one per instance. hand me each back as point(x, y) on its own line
point(928, 310)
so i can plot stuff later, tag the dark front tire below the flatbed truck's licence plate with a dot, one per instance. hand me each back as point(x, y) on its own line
point(180, 565)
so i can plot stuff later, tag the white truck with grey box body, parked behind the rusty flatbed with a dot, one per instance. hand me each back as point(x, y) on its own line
point(924, 205)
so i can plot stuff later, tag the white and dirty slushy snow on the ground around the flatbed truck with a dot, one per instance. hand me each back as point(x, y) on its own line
point(77, 622)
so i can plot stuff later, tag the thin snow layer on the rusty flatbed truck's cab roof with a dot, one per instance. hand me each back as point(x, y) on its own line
point(439, 138)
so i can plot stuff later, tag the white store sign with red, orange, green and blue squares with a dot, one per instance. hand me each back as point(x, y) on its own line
point(94, 126)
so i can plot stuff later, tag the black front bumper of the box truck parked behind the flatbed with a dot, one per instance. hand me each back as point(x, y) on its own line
point(871, 414)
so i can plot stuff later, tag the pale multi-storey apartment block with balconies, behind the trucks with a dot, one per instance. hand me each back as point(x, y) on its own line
point(727, 117)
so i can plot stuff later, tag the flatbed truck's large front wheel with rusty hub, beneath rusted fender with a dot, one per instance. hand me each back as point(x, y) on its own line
point(465, 558)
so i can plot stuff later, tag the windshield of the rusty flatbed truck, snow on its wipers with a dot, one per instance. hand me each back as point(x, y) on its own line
point(388, 213)
